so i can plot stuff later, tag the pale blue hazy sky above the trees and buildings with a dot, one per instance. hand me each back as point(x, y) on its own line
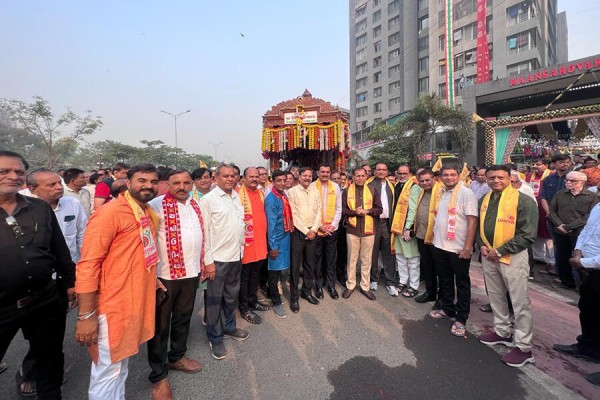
point(128, 60)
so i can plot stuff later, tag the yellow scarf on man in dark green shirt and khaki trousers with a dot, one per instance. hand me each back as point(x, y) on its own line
point(506, 221)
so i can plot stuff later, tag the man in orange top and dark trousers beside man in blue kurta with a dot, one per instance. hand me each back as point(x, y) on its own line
point(255, 246)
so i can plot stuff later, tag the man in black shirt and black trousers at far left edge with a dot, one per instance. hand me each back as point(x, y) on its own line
point(32, 249)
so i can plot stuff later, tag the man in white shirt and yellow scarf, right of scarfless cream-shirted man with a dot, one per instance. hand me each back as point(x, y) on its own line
point(327, 236)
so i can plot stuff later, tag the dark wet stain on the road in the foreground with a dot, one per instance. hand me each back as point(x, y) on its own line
point(447, 367)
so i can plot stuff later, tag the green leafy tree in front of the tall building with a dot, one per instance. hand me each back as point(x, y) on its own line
point(414, 134)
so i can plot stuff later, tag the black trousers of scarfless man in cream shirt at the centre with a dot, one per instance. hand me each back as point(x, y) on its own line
point(302, 255)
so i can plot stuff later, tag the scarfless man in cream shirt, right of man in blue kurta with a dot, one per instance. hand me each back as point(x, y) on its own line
point(306, 211)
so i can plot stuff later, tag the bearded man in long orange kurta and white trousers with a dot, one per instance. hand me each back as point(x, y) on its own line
point(116, 283)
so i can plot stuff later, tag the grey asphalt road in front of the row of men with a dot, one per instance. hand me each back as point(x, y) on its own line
point(339, 349)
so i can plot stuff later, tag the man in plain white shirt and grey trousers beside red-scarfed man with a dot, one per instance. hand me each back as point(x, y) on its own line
point(224, 243)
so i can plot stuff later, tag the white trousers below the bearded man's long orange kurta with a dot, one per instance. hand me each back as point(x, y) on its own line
point(107, 380)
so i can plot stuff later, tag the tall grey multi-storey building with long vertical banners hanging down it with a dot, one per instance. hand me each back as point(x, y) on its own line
point(398, 50)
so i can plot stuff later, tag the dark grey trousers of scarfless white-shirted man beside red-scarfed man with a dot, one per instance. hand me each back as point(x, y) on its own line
point(221, 300)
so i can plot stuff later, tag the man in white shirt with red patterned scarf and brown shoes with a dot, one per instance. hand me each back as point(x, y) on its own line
point(180, 246)
